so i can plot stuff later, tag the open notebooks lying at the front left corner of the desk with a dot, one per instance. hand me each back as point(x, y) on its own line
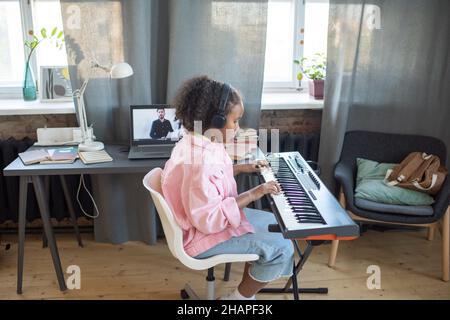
point(49, 156)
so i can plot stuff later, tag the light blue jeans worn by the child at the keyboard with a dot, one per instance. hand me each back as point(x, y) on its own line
point(276, 254)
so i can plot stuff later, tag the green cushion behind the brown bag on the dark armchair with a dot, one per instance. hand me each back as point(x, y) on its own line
point(370, 185)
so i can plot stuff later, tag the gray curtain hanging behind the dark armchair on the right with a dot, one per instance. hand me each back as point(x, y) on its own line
point(388, 71)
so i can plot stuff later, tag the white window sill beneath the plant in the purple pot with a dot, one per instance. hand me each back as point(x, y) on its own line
point(289, 101)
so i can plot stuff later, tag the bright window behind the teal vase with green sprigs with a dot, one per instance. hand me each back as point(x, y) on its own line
point(17, 17)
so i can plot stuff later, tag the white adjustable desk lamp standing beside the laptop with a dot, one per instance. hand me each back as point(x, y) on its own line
point(118, 71)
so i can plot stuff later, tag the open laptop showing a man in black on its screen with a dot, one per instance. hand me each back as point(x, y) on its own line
point(154, 131)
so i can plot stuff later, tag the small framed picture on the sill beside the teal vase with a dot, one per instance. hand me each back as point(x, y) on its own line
point(55, 84)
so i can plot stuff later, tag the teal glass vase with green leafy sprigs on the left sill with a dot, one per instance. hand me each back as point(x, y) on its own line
point(29, 83)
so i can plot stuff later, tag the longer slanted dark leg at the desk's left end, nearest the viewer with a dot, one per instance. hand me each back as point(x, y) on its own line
point(45, 215)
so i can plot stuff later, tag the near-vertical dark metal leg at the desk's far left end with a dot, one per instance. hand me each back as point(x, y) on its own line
point(23, 190)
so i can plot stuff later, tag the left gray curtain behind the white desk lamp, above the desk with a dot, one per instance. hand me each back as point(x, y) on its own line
point(111, 31)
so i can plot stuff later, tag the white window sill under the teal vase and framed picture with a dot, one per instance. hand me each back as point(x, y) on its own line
point(19, 107)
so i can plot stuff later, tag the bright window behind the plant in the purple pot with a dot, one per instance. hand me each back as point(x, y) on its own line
point(295, 29)
